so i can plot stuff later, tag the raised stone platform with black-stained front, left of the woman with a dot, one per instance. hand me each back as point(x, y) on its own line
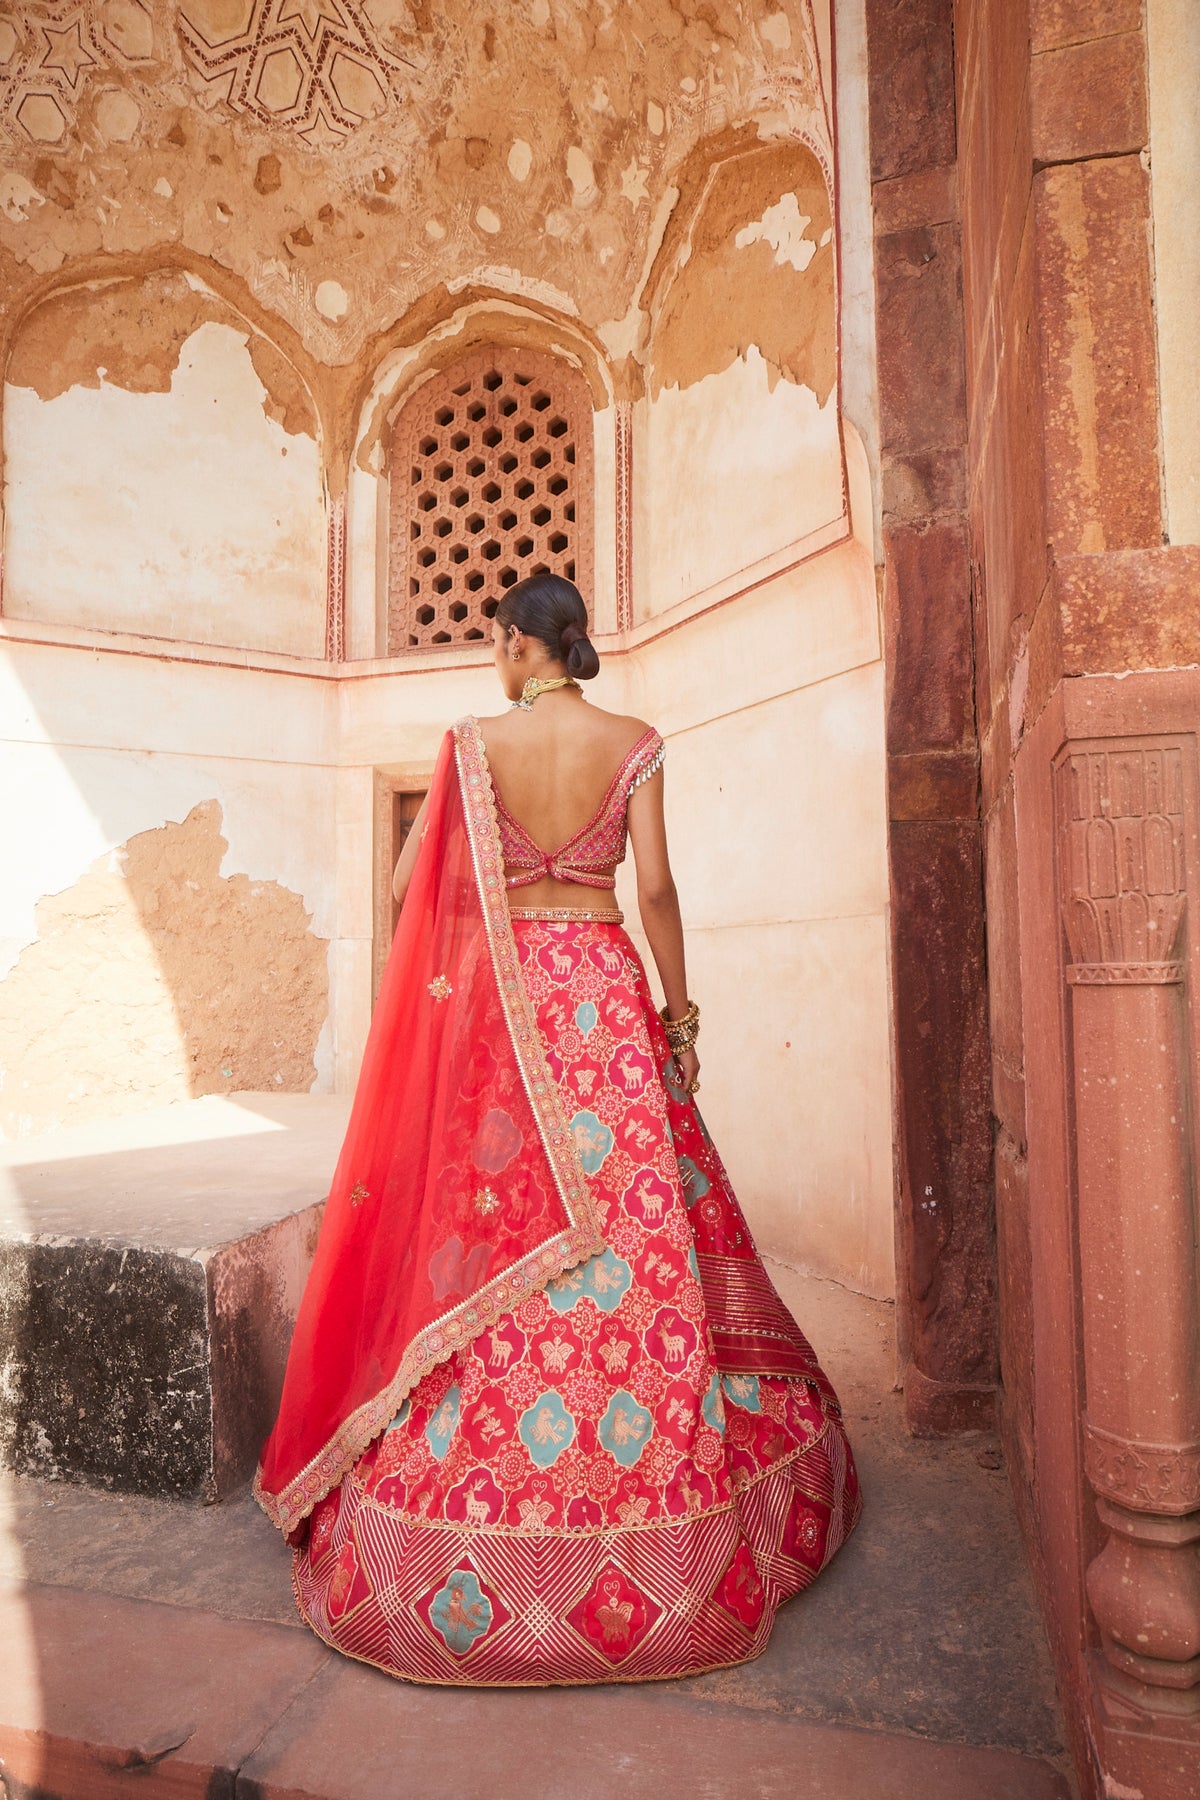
point(150, 1272)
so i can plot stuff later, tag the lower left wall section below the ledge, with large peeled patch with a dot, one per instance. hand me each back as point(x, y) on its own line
point(172, 910)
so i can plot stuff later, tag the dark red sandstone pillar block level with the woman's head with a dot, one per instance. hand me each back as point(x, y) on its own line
point(927, 595)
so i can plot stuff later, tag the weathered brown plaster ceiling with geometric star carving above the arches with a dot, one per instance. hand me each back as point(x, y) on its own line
point(346, 157)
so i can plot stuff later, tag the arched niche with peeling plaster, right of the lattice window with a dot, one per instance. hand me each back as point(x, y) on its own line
point(740, 449)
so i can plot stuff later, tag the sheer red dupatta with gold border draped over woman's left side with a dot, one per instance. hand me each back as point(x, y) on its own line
point(460, 1187)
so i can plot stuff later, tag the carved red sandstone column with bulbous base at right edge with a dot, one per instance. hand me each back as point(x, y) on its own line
point(1124, 901)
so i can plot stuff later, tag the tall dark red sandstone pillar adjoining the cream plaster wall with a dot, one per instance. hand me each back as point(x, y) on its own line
point(947, 1261)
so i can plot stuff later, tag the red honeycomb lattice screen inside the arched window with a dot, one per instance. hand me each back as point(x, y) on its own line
point(492, 480)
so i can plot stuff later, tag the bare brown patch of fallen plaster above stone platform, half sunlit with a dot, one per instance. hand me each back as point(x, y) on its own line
point(156, 978)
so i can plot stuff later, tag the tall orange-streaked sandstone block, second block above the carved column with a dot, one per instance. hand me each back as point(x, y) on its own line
point(1098, 357)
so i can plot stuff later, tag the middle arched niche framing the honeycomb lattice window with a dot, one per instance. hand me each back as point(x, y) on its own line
point(418, 381)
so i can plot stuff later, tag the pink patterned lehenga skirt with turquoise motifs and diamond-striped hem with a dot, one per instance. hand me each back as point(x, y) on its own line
point(596, 1489)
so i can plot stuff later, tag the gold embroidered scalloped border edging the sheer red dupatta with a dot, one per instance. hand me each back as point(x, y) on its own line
point(456, 1329)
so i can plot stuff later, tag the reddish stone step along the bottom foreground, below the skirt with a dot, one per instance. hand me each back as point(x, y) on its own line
point(105, 1698)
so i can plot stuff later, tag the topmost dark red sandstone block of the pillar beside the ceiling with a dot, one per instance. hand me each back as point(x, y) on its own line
point(911, 80)
